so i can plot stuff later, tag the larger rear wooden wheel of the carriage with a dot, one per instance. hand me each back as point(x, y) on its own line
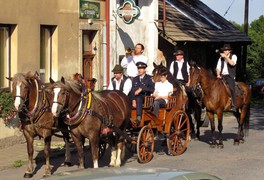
point(178, 136)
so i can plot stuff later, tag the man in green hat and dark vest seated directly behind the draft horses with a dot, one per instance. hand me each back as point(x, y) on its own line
point(120, 81)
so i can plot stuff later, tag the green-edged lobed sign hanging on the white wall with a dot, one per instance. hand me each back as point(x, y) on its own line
point(128, 11)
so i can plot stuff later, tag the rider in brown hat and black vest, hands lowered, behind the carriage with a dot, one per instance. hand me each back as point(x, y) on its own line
point(180, 68)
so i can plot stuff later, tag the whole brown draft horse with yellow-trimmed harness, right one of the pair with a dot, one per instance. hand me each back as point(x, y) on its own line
point(89, 113)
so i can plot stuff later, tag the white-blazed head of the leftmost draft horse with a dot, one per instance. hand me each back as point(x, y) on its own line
point(24, 90)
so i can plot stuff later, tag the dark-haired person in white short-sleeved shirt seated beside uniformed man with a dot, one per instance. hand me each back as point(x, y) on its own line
point(163, 90)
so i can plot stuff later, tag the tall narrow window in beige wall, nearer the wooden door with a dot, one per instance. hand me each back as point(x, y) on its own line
point(46, 56)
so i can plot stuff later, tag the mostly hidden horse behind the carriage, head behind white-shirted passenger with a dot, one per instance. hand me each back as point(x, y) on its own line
point(190, 102)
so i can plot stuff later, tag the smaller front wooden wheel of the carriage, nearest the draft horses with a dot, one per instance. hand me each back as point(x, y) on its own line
point(145, 144)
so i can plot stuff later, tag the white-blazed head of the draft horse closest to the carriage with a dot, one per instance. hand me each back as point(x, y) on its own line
point(64, 93)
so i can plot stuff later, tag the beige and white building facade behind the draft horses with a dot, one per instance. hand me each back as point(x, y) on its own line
point(59, 38)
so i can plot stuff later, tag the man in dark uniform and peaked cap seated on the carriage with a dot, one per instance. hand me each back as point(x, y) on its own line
point(142, 85)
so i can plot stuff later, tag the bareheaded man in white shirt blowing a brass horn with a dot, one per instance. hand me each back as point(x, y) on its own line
point(130, 64)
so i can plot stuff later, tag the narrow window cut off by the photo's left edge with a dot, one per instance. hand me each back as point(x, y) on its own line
point(4, 55)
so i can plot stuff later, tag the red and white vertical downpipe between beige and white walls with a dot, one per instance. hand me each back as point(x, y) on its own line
point(106, 46)
